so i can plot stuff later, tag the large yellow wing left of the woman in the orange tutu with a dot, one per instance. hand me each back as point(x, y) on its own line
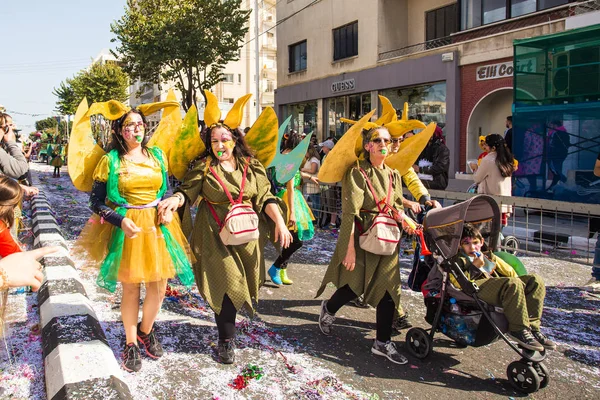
point(84, 154)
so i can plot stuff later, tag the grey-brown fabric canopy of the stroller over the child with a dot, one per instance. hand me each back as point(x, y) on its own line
point(444, 225)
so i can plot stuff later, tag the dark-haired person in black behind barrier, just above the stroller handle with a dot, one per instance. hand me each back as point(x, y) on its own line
point(434, 162)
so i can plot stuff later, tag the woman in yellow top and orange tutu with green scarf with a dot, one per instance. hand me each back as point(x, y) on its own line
point(140, 245)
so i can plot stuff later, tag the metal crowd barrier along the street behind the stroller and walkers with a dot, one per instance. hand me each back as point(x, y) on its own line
point(545, 228)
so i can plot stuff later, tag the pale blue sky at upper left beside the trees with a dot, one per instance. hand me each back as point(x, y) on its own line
point(43, 43)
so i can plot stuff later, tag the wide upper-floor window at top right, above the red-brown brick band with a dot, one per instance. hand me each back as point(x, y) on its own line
point(477, 19)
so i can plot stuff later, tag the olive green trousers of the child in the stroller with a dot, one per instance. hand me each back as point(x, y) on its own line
point(522, 299)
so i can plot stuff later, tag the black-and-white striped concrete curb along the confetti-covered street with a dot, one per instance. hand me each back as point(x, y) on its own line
point(78, 362)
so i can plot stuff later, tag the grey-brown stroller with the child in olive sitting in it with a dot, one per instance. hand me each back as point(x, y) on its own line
point(475, 299)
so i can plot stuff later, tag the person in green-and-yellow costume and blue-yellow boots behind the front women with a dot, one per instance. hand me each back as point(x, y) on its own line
point(300, 217)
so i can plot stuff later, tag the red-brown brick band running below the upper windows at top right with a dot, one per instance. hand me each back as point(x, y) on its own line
point(500, 27)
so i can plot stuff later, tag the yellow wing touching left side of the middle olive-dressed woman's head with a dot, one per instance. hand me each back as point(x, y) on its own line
point(187, 145)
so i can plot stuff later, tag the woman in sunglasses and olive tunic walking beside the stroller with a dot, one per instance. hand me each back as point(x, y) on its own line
point(353, 270)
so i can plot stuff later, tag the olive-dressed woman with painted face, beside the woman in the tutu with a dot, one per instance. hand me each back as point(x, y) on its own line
point(228, 277)
